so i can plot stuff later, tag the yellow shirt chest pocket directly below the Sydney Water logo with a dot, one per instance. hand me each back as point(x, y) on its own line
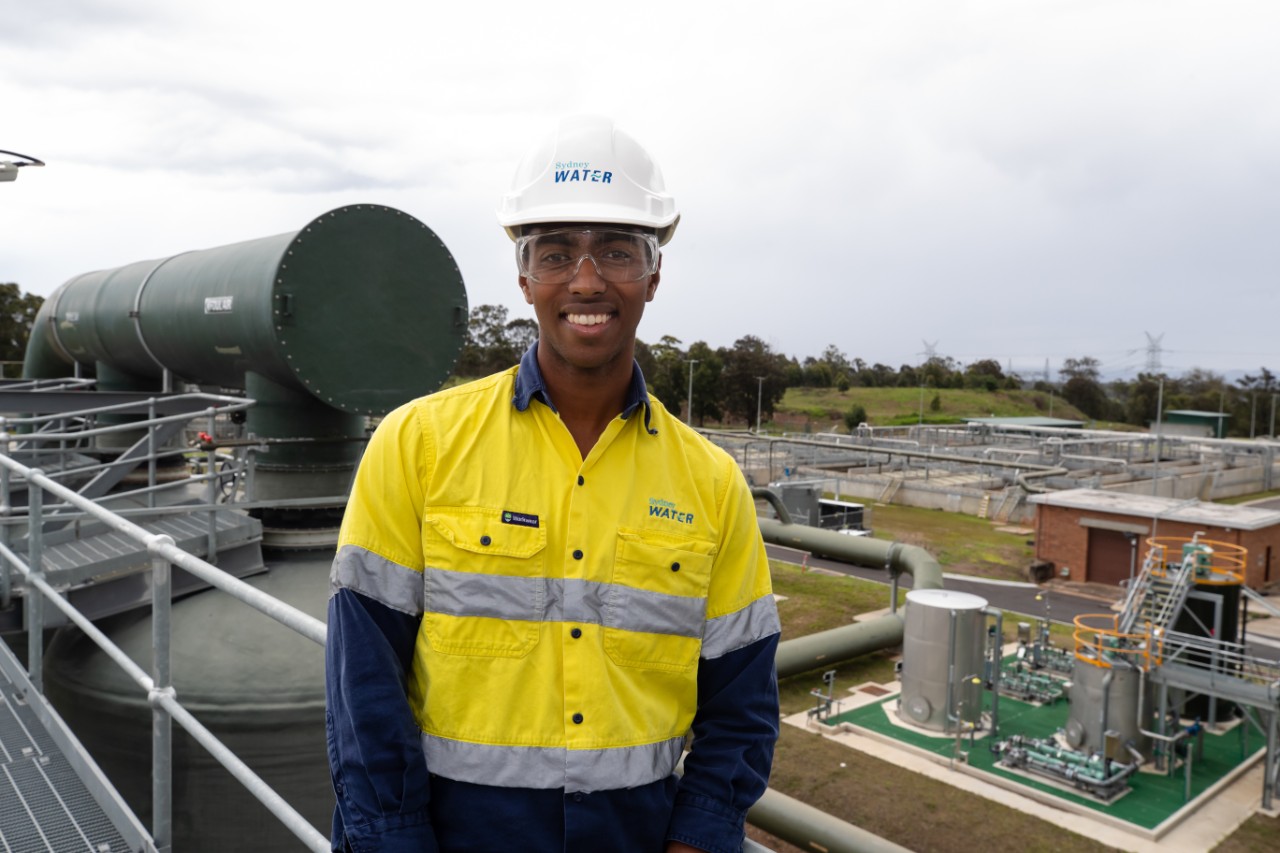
point(657, 603)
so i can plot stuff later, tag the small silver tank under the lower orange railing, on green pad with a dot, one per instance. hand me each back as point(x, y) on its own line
point(1107, 699)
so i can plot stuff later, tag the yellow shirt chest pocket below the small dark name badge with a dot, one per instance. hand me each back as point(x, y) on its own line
point(484, 592)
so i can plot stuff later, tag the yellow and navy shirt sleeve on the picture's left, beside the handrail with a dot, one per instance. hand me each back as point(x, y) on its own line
point(376, 752)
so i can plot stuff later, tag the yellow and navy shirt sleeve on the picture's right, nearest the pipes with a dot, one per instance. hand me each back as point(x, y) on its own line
point(737, 724)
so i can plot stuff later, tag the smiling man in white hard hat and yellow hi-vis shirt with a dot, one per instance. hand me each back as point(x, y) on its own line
point(545, 582)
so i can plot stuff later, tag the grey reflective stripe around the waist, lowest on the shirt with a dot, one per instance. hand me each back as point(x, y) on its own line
point(574, 770)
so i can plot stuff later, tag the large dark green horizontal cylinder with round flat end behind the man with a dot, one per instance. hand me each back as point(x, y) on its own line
point(363, 309)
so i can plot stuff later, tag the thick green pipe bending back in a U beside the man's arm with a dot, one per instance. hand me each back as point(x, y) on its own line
point(844, 644)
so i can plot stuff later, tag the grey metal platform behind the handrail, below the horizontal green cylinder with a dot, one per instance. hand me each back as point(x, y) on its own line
point(106, 573)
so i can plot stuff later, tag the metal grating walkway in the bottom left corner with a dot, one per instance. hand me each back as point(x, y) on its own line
point(53, 797)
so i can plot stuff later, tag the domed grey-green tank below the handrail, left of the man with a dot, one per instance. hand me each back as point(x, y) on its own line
point(254, 683)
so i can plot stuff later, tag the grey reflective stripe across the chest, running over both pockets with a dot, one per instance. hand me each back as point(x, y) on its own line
point(464, 594)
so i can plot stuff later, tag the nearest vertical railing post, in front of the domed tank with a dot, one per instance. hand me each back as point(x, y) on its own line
point(162, 724)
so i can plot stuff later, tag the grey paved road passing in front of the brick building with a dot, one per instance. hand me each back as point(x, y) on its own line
point(1064, 606)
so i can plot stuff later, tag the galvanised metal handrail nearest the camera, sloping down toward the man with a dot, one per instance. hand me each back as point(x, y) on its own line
point(161, 692)
